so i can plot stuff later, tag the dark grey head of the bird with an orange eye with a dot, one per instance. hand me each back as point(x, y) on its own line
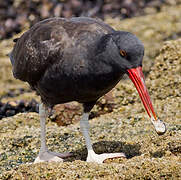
point(124, 48)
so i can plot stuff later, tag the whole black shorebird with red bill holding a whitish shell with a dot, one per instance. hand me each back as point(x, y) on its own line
point(78, 59)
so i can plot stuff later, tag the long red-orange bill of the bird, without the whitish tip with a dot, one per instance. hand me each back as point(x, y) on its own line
point(137, 77)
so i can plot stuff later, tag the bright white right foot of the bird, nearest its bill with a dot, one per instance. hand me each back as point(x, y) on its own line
point(99, 158)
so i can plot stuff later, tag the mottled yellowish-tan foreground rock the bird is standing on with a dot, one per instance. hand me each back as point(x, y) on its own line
point(127, 129)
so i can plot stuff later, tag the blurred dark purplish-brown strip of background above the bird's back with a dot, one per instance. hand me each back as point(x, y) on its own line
point(15, 14)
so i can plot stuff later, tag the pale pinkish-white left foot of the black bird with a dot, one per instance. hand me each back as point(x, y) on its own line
point(48, 156)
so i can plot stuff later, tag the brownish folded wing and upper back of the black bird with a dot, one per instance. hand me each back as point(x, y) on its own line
point(47, 41)
